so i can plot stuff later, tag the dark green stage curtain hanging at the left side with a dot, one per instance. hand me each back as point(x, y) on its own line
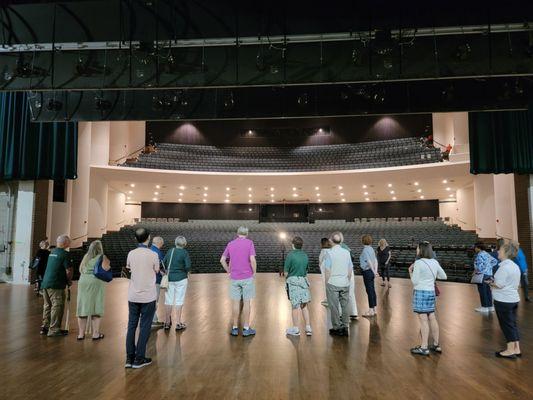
point(34, 150)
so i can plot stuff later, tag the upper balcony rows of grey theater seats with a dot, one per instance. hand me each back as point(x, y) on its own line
point(380, 154)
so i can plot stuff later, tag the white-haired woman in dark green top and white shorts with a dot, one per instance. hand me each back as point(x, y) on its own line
point(177, 264)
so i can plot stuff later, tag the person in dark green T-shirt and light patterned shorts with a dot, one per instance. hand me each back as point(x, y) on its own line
point(296, 266)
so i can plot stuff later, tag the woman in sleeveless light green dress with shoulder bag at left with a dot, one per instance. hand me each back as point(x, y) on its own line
point(91, 291)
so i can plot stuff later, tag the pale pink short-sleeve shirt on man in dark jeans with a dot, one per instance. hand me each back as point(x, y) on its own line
point(143, 264)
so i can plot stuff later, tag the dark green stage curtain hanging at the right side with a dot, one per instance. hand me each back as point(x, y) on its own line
point(501, 142)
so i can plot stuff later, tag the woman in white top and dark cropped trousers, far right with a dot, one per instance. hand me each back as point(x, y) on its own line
point(506, 298)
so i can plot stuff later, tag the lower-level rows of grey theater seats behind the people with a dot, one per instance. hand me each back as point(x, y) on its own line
point(207, 239)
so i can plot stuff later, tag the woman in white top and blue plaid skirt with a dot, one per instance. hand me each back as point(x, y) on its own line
point(424, 272)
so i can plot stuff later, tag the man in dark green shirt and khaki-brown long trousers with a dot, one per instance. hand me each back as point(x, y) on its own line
point(56, 278)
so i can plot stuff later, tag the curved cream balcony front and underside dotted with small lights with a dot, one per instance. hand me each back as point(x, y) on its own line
point(432, 181)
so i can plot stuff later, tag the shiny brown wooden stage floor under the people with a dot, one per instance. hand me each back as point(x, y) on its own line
point(204, 362)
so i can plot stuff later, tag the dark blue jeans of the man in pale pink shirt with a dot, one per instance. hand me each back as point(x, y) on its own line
point(143, 312)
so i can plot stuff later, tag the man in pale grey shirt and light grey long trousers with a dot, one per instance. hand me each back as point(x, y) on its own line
point(338, 269)
